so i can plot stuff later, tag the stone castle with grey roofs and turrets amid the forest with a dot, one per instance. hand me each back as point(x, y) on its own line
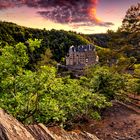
point(81, 56)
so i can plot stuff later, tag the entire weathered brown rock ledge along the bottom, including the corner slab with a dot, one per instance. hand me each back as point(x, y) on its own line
point(11, 129)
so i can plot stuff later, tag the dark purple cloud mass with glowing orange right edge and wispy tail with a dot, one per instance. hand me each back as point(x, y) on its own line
point(74, 12)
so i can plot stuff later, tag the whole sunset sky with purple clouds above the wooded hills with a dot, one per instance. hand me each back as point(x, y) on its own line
point(82, 16)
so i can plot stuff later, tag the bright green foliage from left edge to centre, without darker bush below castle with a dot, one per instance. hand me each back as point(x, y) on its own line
point(42, 96)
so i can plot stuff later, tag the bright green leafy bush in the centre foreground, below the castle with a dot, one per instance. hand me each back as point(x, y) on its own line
point(67, 100)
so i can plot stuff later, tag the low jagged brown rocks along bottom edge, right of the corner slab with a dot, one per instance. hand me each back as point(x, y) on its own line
point(40, 132)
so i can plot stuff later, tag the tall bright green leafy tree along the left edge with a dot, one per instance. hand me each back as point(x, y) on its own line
point(13, 78)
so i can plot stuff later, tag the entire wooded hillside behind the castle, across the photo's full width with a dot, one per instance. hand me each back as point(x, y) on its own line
point(116, 45)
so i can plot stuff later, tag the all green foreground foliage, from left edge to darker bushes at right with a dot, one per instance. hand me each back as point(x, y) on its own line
point(42, 96)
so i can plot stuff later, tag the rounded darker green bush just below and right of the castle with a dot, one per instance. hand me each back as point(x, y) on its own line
point(103, 80)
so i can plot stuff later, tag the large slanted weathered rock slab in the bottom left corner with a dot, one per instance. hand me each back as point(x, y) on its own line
point(11, 129)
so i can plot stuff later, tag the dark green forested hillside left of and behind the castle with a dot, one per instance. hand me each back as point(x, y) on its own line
point(57, 41)
